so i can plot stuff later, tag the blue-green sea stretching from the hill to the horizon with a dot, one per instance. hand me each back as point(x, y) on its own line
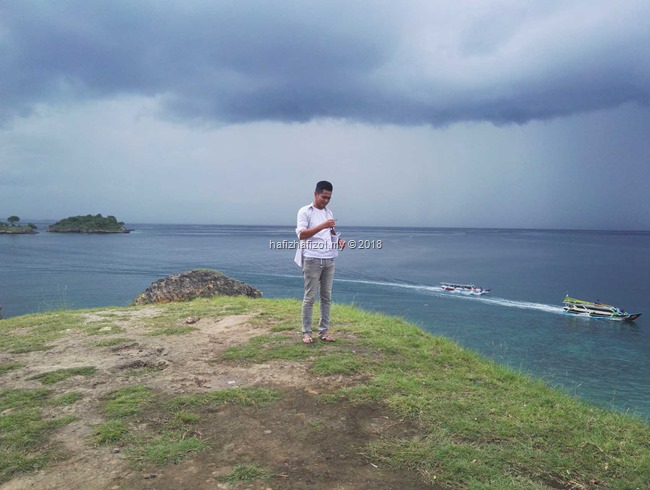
point(395, 271)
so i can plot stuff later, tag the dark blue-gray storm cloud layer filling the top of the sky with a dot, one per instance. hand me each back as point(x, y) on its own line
point(378, 62)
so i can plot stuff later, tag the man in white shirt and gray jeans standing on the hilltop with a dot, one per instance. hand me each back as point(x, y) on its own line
point(319, 246)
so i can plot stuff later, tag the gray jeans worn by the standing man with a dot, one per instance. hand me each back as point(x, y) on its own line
point(318, 274)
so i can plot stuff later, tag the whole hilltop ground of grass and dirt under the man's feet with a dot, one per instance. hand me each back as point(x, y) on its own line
point(222, 391)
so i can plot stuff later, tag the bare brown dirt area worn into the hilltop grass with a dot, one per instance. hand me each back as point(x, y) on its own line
point(307, 443)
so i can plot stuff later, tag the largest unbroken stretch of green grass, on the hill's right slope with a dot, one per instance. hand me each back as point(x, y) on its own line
point(481, 425)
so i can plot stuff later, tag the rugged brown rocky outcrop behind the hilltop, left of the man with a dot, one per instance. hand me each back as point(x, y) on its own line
point(195, 284)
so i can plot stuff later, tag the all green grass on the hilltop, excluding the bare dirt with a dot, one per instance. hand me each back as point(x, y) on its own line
point(480, 425)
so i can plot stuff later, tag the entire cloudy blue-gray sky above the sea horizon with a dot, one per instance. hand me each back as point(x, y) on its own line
point(449, 113)
